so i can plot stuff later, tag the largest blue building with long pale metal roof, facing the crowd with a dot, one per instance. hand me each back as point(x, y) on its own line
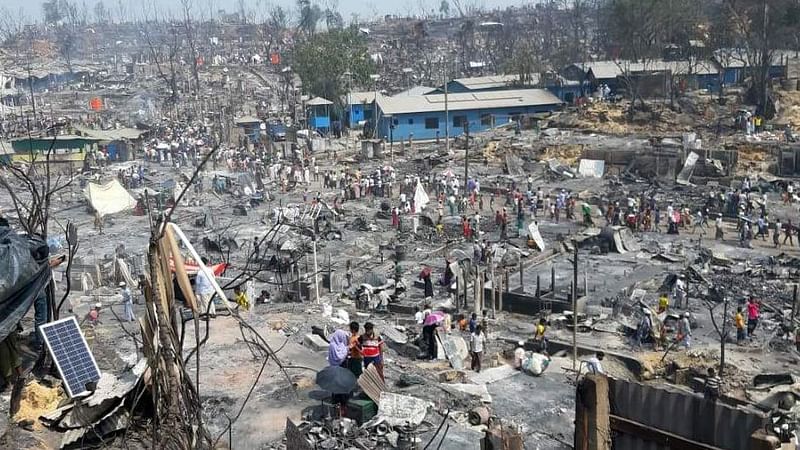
point(423, 117)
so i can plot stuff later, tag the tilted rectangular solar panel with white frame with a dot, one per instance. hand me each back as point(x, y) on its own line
point(74, 360)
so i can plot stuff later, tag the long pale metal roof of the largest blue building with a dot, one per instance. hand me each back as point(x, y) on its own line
point(468, 100)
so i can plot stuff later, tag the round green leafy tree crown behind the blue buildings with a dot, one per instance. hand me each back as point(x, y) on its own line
point(322, 61)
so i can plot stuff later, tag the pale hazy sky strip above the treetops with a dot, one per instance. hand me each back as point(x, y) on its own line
point(364, 8)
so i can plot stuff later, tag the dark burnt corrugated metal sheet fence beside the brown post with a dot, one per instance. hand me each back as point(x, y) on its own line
point(685, 414)
